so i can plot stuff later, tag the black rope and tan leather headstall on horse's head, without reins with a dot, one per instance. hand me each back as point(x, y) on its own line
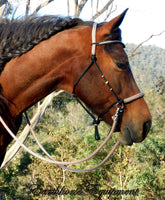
point(119, 102)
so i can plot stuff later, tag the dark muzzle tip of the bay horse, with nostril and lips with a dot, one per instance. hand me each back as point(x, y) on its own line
point(130, 133)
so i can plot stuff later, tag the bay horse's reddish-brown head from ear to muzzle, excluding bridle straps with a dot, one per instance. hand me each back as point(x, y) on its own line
point(114, 64)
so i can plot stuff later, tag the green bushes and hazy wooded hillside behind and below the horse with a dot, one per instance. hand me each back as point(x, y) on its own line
point(132, 173)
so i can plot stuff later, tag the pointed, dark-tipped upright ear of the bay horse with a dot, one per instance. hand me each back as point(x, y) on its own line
point(114, 24)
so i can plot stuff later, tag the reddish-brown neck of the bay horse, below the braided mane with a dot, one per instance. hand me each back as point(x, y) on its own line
point(32, 76)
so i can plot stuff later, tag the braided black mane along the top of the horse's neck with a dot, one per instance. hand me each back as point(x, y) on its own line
point(19, 36)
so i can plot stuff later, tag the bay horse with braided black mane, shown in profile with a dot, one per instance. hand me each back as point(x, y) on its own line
point(39, 55)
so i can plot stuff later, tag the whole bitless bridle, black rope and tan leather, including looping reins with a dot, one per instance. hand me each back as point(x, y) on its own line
point(120, 107)
